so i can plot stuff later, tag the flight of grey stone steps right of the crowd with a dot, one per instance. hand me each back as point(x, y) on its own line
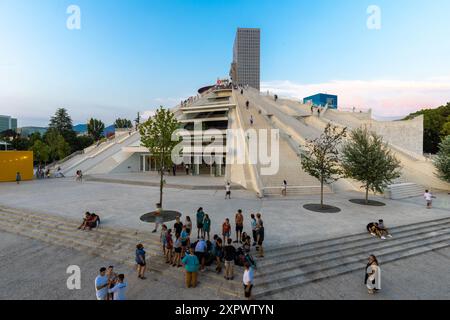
point(290, 266)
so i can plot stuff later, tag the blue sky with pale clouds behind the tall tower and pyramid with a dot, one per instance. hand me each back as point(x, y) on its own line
point(135, 55)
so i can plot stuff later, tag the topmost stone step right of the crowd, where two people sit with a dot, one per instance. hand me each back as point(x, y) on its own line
point(326, 243)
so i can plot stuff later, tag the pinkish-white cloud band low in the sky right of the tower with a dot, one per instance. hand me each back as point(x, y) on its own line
point(387, 98)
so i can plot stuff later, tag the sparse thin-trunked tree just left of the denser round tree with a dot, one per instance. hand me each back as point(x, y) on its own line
point(321, 157)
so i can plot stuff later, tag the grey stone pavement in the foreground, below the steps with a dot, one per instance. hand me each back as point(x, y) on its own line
point(38, 271)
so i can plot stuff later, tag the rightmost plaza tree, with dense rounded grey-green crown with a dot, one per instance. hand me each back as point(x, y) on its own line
point(368, 159)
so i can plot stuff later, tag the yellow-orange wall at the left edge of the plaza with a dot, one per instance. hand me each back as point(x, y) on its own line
point(12, 162)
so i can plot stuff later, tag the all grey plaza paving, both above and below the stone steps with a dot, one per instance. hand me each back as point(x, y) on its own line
point(38, 269)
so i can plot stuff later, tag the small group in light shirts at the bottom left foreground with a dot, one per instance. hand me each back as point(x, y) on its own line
point(110, 285)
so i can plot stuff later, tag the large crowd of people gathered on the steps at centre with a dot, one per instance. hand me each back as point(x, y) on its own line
point(180, 248)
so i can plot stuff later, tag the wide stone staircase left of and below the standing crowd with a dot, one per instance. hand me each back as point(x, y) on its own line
point(116, 244)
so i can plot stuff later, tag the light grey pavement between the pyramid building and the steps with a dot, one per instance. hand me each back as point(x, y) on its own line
point(285, 219)
